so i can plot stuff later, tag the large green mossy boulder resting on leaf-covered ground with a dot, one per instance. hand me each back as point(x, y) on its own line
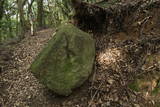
point(67, 61)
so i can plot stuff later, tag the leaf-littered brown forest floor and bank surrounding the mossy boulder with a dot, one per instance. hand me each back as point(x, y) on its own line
point(121, 59)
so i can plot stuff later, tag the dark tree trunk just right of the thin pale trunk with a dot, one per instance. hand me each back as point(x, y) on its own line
point(40, 13)
